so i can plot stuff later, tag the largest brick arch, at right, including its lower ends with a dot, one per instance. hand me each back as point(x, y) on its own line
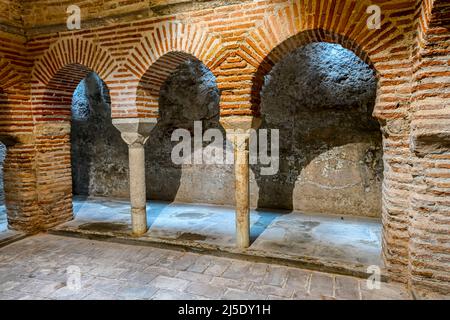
point(302, 22)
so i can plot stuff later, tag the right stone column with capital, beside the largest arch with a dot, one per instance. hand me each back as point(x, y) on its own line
point(238, 132)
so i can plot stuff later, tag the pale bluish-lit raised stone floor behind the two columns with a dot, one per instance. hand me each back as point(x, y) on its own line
point(347, 240)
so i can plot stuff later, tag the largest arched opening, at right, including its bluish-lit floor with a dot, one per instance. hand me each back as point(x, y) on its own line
point(321, 97)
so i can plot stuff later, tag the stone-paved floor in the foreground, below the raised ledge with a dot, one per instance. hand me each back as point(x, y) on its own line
point(54, 267)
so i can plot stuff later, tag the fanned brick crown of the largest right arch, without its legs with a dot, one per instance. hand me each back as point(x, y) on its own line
point(342, 21)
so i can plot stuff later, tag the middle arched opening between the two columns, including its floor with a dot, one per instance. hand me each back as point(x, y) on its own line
point(188, 100)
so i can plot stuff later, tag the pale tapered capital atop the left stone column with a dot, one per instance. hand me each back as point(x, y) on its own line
point(135, 131)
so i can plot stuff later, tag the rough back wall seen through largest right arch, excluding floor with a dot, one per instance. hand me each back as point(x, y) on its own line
point(321, 98)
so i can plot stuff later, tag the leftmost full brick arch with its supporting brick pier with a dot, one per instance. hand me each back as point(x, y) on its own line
point(54, 79)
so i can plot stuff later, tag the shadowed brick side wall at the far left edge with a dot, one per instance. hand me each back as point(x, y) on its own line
point(17, 132)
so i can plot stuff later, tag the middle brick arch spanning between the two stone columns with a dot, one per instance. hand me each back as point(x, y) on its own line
point(159, 53)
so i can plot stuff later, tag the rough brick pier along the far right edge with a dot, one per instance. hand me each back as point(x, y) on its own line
point(429, 229)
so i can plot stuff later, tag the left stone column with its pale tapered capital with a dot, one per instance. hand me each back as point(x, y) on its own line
point(135, 133)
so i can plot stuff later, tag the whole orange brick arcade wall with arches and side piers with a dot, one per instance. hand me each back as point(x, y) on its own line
point(240, 43)
